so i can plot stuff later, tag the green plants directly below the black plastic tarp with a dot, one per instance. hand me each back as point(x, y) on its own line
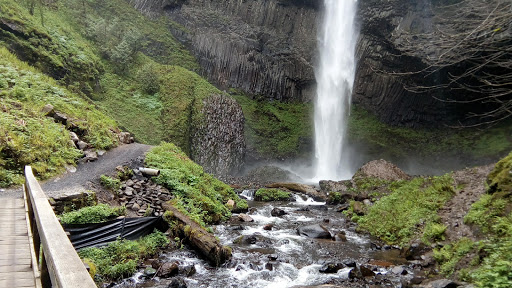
point(120, 258)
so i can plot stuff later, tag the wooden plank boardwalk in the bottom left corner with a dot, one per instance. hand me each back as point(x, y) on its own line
point(15, 257)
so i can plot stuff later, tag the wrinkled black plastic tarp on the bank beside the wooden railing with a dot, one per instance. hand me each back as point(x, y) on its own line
point(89, 235)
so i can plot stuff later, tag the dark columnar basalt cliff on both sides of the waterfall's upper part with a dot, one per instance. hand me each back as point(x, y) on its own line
point(268, 48)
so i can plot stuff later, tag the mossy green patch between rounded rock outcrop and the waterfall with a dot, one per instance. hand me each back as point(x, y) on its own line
point(277, 129)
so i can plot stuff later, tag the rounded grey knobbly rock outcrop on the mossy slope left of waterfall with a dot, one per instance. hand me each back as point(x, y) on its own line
point(218, 143)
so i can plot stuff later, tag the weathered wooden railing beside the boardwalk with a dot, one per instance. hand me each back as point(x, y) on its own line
point(55, 260)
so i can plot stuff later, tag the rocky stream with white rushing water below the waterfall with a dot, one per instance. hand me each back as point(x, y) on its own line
point(280, 257)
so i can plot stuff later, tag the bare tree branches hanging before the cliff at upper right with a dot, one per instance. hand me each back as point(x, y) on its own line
point(470, 45)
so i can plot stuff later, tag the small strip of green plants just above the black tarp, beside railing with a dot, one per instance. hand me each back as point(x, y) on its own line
point(92, 214)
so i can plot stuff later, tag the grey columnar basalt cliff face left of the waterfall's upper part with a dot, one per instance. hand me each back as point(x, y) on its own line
point(262, 47)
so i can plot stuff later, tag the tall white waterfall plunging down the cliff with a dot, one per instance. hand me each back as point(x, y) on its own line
point(335, 78)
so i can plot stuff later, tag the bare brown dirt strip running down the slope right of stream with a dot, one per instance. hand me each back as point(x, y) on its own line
point(452, 214)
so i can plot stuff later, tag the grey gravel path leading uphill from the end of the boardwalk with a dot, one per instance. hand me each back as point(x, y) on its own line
point(86, 172)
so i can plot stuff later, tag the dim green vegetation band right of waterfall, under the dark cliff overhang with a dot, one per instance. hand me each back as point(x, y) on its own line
point(395, 142)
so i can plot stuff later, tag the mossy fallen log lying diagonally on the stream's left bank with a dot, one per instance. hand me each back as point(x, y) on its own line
point(200, 239)
